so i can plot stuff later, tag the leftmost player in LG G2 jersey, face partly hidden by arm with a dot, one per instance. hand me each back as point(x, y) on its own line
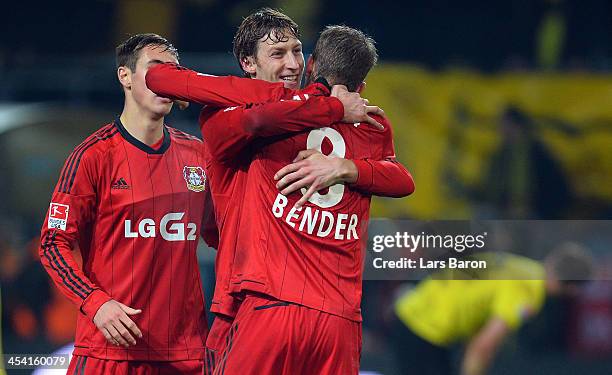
point(133, 196)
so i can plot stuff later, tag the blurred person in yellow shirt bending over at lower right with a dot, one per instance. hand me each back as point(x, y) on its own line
point(480, 312)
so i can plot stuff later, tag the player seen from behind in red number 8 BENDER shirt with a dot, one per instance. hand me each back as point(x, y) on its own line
point(300, 267)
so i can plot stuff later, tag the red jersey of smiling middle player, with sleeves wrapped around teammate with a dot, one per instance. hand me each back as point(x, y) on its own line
point(230, 134)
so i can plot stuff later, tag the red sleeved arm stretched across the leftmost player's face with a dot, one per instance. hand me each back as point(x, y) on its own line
point(177, 82)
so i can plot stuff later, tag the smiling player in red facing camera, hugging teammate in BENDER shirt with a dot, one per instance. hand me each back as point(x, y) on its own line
point(229, 134)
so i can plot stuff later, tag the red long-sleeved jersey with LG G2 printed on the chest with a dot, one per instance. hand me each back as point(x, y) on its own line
point(136, 214)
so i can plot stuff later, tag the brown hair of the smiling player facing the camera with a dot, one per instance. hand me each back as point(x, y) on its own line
point(266, 22)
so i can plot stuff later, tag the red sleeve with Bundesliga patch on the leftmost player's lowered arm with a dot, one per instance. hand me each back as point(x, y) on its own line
point(68, 219)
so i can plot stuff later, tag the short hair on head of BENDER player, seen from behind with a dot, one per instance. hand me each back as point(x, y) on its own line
point(344, 55)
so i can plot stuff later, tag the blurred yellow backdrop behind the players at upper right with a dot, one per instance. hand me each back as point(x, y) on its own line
point(572, 113)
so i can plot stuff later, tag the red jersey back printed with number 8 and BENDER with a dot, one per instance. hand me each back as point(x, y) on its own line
point(312, 256)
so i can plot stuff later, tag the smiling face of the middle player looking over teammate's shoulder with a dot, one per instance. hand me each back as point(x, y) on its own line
point(277, 60)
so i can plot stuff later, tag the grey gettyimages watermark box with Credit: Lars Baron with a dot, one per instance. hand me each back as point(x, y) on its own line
point(412, 250)
